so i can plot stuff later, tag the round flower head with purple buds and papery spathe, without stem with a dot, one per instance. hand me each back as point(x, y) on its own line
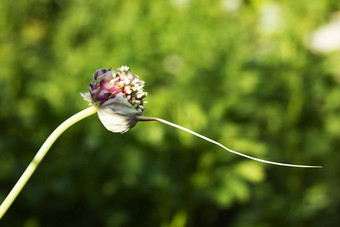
point(119, 97)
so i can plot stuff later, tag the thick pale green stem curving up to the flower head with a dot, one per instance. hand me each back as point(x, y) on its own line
point(40, 155)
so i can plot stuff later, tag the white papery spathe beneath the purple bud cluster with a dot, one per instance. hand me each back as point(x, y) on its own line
point(118, 115)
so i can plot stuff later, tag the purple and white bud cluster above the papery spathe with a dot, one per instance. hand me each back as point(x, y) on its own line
point(106, 84)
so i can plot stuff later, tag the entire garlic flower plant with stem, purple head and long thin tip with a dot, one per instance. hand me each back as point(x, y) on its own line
point(118, 98)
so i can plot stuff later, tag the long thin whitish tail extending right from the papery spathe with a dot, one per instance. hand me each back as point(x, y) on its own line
point(142, 118)
